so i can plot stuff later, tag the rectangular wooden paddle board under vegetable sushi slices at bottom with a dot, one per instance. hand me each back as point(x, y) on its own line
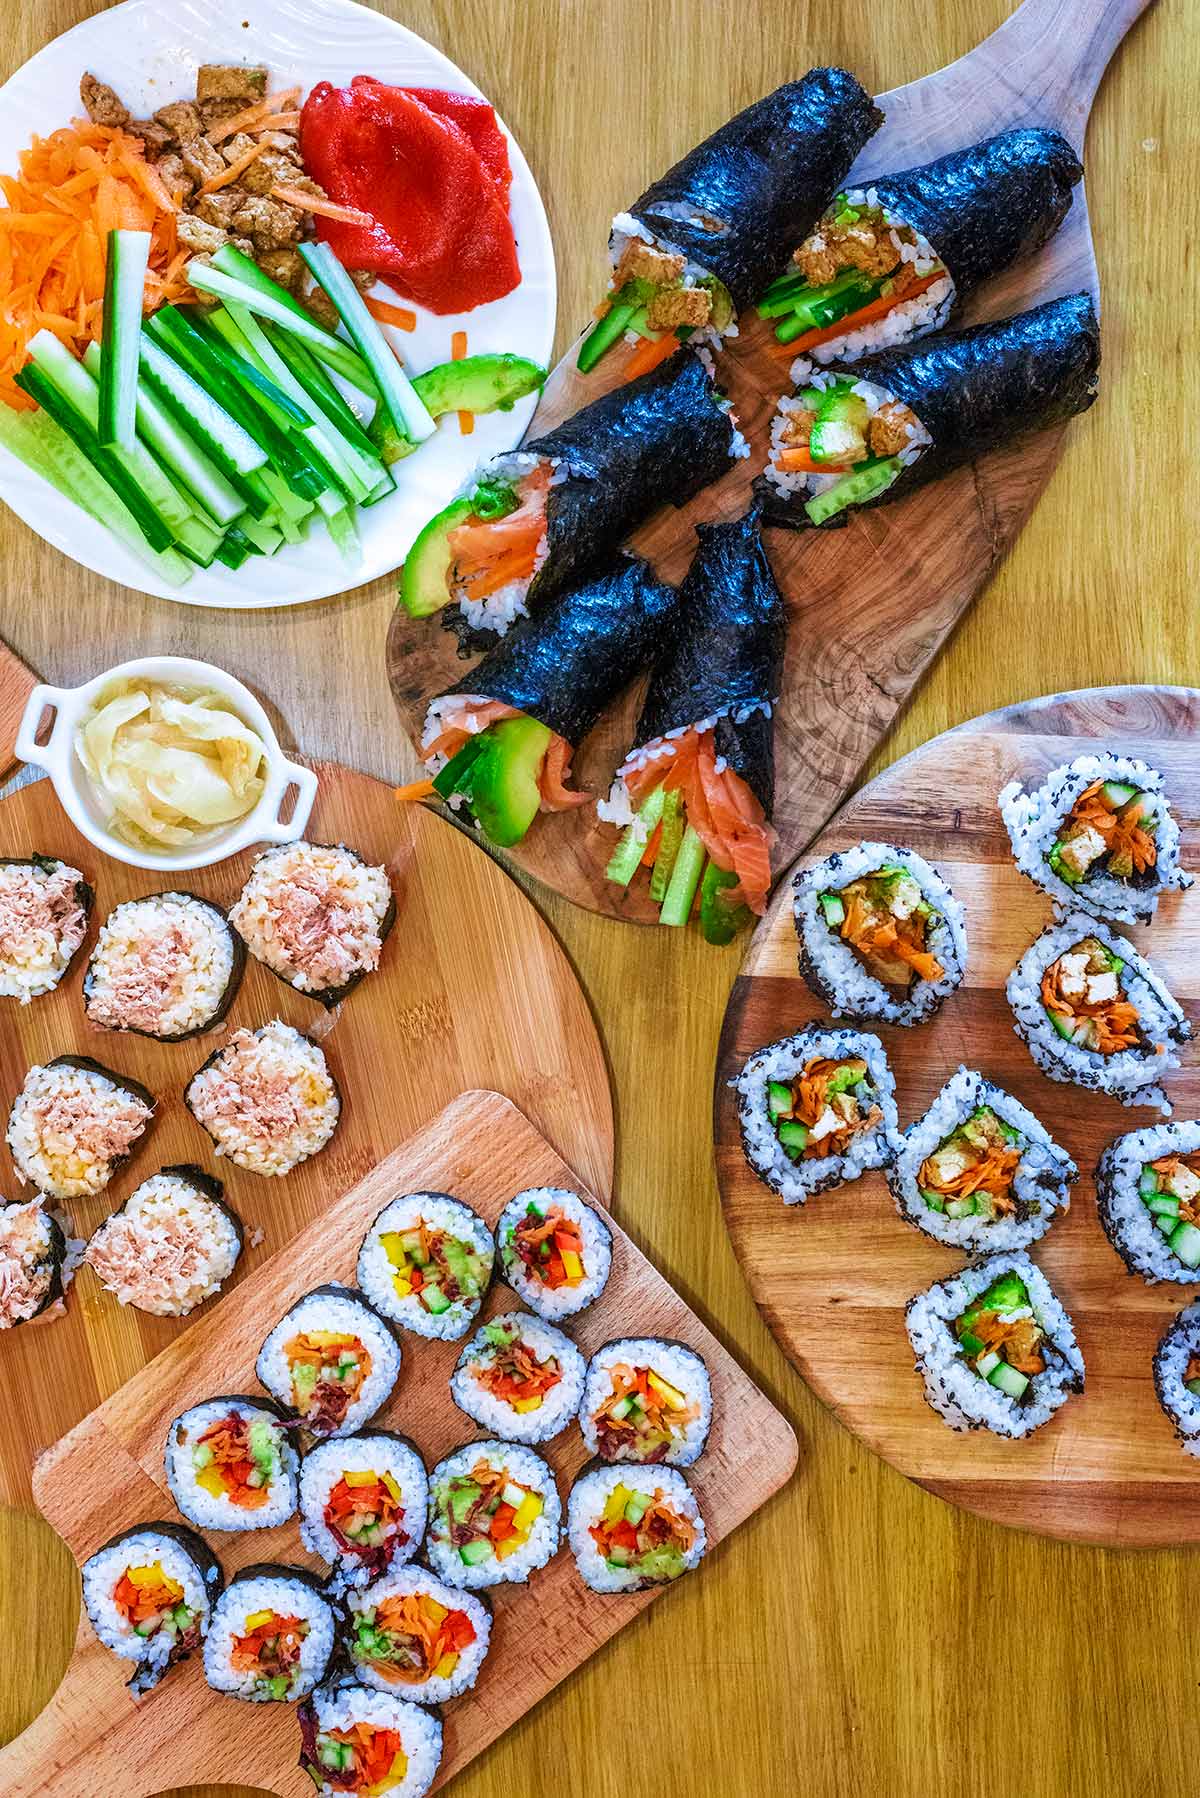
point(109, 1475)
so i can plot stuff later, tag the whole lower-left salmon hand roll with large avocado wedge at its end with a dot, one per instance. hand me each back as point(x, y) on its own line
point(501, 742)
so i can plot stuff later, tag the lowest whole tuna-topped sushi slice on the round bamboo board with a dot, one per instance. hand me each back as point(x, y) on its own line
point(172, 1245)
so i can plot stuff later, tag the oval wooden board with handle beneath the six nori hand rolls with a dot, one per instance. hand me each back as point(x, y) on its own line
point(870, 607)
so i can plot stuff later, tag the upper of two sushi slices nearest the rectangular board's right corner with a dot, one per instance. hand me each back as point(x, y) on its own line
point(647, 1402)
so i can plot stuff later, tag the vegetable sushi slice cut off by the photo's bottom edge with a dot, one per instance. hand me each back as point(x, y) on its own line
point(366, 1743)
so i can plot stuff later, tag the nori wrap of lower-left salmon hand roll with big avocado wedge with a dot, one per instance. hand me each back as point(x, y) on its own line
point(566, 666)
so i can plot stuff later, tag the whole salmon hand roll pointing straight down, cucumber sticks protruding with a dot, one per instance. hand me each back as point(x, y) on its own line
point(699, 785)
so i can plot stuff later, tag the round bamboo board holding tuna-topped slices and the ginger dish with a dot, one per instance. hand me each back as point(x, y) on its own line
point(474, 992)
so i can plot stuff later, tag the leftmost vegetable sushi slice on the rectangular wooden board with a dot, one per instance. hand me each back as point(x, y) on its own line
point(150, 1596)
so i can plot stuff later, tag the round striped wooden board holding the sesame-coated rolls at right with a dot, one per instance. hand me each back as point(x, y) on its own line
point(832, 1279)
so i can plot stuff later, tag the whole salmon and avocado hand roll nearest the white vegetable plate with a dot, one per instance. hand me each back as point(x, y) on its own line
point(537, 521)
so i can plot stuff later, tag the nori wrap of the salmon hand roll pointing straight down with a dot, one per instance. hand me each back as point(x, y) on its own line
point(726, 654)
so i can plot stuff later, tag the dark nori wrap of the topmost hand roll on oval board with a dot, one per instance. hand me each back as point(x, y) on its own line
point(767, 175)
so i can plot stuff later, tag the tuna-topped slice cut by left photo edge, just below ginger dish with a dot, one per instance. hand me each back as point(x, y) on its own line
point(44, 920)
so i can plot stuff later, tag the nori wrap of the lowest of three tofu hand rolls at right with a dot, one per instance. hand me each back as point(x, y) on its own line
point(974, 391)
